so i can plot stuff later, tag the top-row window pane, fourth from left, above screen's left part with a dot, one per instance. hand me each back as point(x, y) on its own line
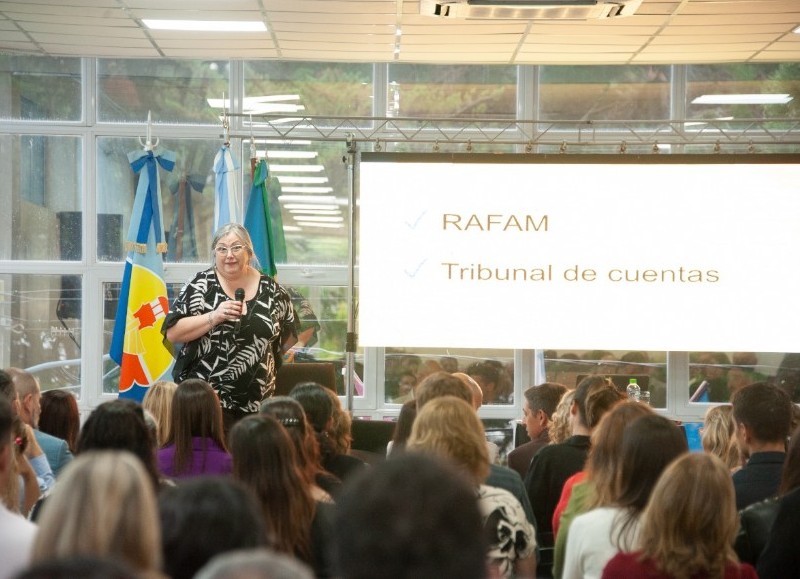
point(463, 92)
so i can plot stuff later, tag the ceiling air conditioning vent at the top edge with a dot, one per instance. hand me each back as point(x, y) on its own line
point(529, 9)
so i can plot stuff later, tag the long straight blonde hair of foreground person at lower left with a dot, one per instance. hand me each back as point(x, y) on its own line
point(104, 505)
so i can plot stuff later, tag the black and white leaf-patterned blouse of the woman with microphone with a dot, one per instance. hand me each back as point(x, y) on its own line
point(239, 365)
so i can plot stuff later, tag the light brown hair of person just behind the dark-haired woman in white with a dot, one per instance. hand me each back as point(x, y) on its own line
point(605, 455)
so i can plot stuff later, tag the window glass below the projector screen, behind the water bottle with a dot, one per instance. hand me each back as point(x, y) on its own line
point(569, 367)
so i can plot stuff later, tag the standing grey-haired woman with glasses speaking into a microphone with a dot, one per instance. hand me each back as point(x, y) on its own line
point(233, 343)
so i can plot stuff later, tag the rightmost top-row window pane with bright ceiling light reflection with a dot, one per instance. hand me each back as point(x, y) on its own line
point(730, 92)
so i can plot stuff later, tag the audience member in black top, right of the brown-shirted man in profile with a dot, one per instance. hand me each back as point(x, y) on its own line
point(555, 463)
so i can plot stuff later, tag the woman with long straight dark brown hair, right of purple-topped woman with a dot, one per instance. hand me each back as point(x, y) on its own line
point(264, 459)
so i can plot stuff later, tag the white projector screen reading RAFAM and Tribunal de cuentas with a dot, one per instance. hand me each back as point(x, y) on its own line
point(682, 253)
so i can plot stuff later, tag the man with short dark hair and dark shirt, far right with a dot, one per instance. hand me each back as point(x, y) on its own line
point(763, 415)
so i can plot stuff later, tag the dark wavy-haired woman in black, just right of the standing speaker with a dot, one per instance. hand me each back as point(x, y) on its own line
point(319, 409)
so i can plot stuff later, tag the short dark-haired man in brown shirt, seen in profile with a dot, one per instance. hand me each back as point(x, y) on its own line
point(540, 403)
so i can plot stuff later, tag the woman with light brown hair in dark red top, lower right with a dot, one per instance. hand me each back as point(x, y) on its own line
point(688, 526)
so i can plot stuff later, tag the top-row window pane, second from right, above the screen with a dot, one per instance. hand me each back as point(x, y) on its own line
point(613, 93)
